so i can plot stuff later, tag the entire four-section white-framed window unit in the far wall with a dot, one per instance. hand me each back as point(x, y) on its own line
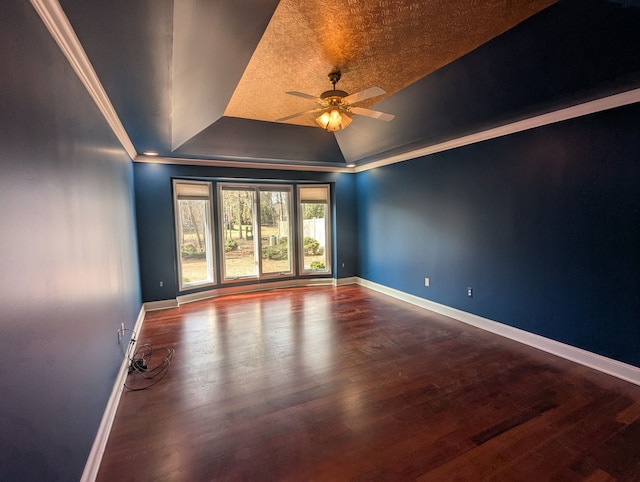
point(254, 234)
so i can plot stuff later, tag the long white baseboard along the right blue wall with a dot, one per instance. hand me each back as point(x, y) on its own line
point(610, 366)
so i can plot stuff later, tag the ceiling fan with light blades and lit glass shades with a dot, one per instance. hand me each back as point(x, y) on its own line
point(337, 106)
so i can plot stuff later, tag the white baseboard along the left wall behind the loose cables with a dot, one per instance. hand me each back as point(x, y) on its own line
point(99, 444)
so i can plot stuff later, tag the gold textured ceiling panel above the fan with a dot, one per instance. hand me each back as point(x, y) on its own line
point(388, 43)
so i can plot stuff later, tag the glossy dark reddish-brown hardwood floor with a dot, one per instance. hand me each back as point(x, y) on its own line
point(348, 384)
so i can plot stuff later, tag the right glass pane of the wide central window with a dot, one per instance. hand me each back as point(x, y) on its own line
point(275, 231)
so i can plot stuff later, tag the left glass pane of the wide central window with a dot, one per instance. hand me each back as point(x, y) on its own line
point(238, 233)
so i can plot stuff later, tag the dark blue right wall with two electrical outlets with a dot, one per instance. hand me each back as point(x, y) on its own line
point(543, 225)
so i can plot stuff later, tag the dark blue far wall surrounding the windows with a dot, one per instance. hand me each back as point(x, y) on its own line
point(156, 229)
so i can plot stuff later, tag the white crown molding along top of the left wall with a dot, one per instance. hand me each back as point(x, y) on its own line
point(61, 30)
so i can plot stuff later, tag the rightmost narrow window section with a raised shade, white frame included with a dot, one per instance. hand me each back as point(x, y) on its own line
point(315, 229)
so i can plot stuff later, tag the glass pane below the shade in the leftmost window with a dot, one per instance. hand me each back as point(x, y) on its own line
point(194, 241)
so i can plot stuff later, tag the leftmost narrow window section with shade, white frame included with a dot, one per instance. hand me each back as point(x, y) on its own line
point(194, 235)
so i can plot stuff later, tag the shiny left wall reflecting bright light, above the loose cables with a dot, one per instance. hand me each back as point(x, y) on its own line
point(68, 260)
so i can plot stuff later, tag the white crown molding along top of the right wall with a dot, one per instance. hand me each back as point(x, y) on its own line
point(586, 108)
